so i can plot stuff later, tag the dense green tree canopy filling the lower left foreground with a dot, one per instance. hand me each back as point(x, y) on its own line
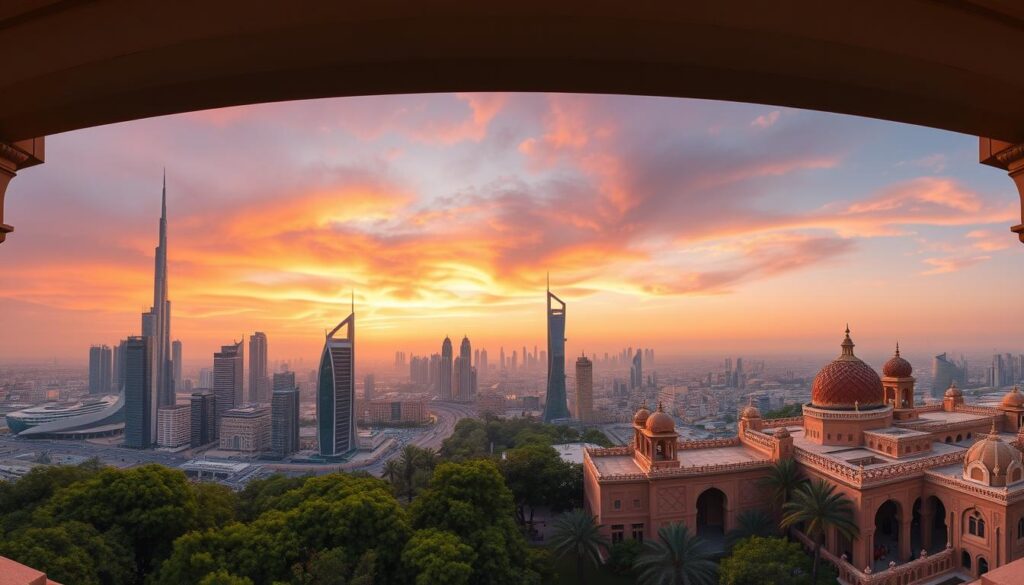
point(89, 525)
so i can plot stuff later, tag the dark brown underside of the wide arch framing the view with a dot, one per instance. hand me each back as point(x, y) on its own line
point(947, 65)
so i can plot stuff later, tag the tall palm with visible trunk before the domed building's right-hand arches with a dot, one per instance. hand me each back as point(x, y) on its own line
point(820, 509)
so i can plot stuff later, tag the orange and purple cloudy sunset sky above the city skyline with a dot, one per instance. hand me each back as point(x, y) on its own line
point(693, 227)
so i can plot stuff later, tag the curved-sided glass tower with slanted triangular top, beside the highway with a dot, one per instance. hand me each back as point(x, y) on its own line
point(336, 392)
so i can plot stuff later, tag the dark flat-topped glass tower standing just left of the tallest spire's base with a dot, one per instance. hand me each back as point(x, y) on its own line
point(141, 410)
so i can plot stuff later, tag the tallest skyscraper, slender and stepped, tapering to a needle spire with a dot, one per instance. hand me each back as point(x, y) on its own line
point(157, 322)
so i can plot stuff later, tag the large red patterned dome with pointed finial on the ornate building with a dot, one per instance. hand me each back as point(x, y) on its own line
point(847, 383)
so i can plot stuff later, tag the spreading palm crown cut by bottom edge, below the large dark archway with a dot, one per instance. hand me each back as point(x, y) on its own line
point(677, 558)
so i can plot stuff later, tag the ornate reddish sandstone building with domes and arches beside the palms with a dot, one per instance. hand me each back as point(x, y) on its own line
point(948, 478)
